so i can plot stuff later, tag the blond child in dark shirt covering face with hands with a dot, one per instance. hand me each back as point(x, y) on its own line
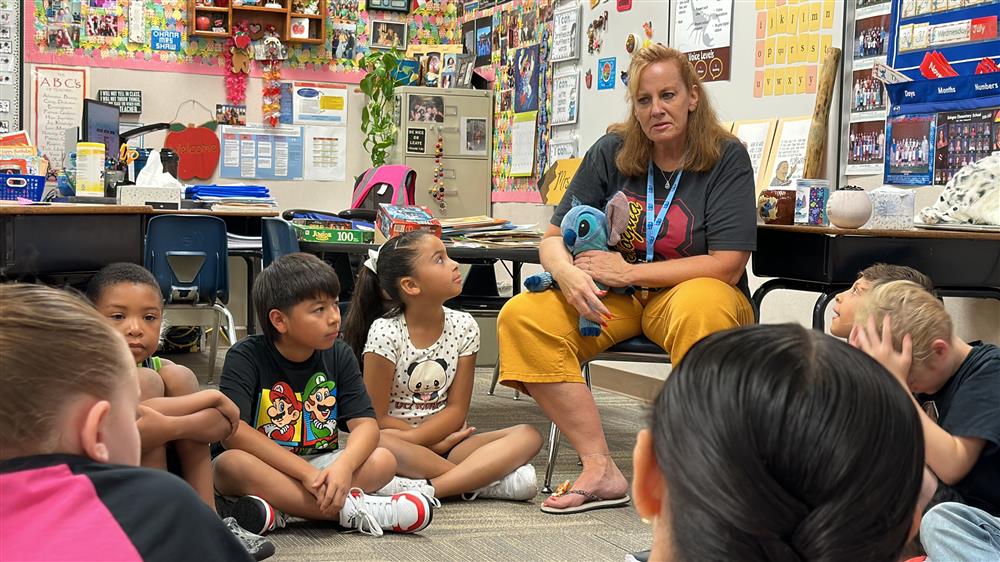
point(957, 386)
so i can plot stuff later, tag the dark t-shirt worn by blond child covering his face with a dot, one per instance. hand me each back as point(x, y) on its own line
point(968, 405)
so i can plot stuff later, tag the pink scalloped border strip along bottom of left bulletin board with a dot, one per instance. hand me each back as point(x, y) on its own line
point(77, 58)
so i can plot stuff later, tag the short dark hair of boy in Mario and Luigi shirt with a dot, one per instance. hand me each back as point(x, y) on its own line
point(289, 280)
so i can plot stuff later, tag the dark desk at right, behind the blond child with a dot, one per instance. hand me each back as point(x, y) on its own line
point(827, 260)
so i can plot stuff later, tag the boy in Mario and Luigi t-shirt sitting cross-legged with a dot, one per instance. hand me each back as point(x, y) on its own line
point(296, 385)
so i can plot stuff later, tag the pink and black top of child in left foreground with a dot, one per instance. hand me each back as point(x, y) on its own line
point(68, 507)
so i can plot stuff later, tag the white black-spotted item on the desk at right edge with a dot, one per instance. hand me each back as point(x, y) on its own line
point(971, 197)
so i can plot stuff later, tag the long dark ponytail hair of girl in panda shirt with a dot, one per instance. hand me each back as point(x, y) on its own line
point(396, 260)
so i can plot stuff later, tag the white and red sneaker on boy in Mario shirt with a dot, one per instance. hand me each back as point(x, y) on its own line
point(405, 512)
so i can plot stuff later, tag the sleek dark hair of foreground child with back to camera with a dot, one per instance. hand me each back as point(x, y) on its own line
point(779, 443)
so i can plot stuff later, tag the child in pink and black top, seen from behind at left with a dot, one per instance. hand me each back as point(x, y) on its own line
point(69, 481)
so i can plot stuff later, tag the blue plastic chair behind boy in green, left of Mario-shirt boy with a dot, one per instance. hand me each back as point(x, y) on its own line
point(188, 256)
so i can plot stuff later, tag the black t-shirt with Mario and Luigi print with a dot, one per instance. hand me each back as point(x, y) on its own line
point(298, 405)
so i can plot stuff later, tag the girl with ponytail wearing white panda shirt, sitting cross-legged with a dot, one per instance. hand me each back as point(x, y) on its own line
point(419, 365)
